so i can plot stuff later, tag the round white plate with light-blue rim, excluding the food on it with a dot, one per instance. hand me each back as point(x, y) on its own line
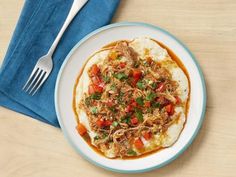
point(71, 68)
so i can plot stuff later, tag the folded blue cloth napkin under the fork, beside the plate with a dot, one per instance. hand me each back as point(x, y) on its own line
point(39, 24)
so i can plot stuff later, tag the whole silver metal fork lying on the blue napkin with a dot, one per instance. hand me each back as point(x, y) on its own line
point(44, 65)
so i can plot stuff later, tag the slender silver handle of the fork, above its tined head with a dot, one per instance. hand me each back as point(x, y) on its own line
point(76, 6)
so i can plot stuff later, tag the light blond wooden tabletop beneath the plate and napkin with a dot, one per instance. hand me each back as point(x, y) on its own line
point(31, 148)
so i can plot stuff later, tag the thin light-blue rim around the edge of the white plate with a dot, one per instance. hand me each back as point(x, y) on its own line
point(131, 24)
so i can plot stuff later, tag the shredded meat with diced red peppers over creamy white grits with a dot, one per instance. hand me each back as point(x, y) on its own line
point(131, 98)
